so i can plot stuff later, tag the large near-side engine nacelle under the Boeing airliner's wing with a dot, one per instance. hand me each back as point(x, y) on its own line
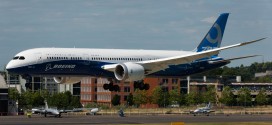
point(129, 71)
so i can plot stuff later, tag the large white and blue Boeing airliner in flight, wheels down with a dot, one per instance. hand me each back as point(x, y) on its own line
point(69, 65)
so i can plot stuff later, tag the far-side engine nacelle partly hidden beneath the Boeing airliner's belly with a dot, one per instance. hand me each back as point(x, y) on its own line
point(67, 80)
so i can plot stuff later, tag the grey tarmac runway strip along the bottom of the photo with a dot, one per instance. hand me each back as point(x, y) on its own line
point(135, 119)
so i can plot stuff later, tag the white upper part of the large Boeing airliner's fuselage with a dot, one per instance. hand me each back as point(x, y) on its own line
point(44, 55)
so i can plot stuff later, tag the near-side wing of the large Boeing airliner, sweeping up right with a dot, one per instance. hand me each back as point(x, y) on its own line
point(152, 66)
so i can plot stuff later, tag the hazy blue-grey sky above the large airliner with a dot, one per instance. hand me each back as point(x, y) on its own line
point(133, 24)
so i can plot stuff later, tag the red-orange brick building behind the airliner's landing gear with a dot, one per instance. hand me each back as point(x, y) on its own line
point(92, 88)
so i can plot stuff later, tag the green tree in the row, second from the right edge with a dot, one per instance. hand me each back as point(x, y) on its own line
point(244, 97)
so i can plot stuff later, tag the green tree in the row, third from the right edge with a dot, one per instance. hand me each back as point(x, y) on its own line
point(227, 96)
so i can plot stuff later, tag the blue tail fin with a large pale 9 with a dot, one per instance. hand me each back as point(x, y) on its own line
point(214, 37)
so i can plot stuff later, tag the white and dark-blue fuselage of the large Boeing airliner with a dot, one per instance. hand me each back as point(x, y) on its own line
point(89, 62)
